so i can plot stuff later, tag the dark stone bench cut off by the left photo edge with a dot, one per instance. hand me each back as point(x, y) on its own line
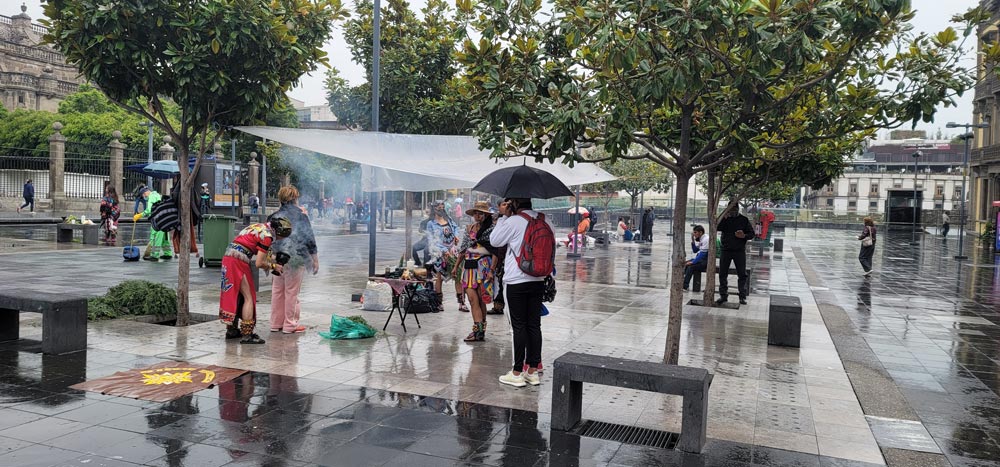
point(64, 319)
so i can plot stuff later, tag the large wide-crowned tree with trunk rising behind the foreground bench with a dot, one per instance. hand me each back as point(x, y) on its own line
point(698, 83)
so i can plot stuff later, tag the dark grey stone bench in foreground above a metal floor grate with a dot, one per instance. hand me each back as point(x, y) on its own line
point(573, 369)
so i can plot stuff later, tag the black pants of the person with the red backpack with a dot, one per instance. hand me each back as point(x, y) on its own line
point(524, 311)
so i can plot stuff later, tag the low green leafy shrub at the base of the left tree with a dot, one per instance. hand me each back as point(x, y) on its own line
point(133, 298)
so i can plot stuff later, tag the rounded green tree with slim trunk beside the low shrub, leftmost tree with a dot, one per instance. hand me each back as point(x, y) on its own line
point(222, 62)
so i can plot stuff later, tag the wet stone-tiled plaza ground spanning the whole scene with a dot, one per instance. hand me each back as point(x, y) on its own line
point(900, 368)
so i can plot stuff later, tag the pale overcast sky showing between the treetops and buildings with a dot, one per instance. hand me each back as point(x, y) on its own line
point(932, 16)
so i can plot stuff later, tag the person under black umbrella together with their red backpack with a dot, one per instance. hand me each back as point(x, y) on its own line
point(524, 283)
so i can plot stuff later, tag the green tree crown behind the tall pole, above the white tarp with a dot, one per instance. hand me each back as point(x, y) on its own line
point(419, 91)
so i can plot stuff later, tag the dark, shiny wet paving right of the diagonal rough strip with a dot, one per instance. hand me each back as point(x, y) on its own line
point(932, 325)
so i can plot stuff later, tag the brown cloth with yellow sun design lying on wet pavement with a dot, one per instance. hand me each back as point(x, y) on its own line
point(162, 382)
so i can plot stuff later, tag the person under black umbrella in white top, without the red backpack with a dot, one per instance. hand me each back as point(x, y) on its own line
point(524, 293)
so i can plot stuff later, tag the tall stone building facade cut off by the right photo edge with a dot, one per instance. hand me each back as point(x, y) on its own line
point(985, 160)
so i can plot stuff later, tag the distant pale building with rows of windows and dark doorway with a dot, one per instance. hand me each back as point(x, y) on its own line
point(889, 166)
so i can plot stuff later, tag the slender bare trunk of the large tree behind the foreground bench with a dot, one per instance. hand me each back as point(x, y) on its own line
point(672, 350)
